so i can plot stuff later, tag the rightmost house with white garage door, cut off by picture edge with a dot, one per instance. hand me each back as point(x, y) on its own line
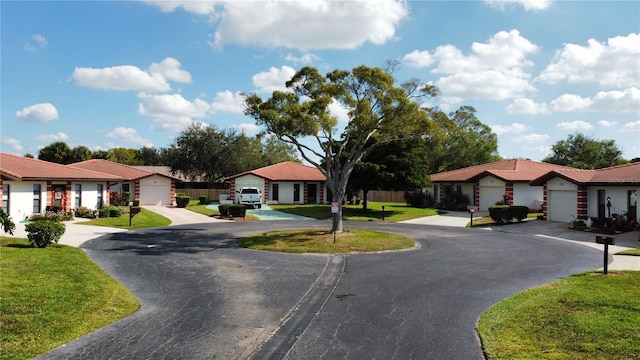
point(571, 194)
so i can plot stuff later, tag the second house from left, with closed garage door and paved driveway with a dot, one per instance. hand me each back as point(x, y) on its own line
point(151, 188)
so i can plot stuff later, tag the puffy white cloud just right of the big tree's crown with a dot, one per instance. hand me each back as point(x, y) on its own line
point(494, 70)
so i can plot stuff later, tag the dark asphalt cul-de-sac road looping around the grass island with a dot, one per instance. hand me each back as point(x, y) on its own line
point(204, 298)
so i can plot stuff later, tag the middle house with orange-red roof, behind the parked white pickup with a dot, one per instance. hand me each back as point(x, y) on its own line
point(284, 183)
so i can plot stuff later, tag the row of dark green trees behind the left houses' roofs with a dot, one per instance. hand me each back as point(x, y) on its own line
point(199, 152)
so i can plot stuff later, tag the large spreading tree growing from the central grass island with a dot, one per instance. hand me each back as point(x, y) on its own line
point(377, 110)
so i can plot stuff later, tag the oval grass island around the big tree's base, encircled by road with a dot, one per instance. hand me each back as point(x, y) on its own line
point(321, 241)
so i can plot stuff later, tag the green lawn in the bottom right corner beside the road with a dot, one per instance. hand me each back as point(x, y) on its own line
point(585, 316)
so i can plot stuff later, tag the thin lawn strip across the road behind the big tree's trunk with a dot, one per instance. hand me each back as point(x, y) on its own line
point(393, 212)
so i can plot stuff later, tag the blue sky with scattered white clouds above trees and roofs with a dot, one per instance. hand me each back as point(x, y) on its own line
point(133, 74)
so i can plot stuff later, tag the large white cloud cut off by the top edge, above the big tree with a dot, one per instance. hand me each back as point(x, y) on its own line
point(320, 24)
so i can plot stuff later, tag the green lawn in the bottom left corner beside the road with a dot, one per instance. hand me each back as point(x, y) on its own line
point(51, 296)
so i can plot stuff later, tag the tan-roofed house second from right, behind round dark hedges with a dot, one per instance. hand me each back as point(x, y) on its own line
point(487, 184)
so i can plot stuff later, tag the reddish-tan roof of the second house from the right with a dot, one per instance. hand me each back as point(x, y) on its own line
point(515, 170)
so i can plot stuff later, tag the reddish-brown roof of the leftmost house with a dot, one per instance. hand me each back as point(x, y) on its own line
point(14, 167)
